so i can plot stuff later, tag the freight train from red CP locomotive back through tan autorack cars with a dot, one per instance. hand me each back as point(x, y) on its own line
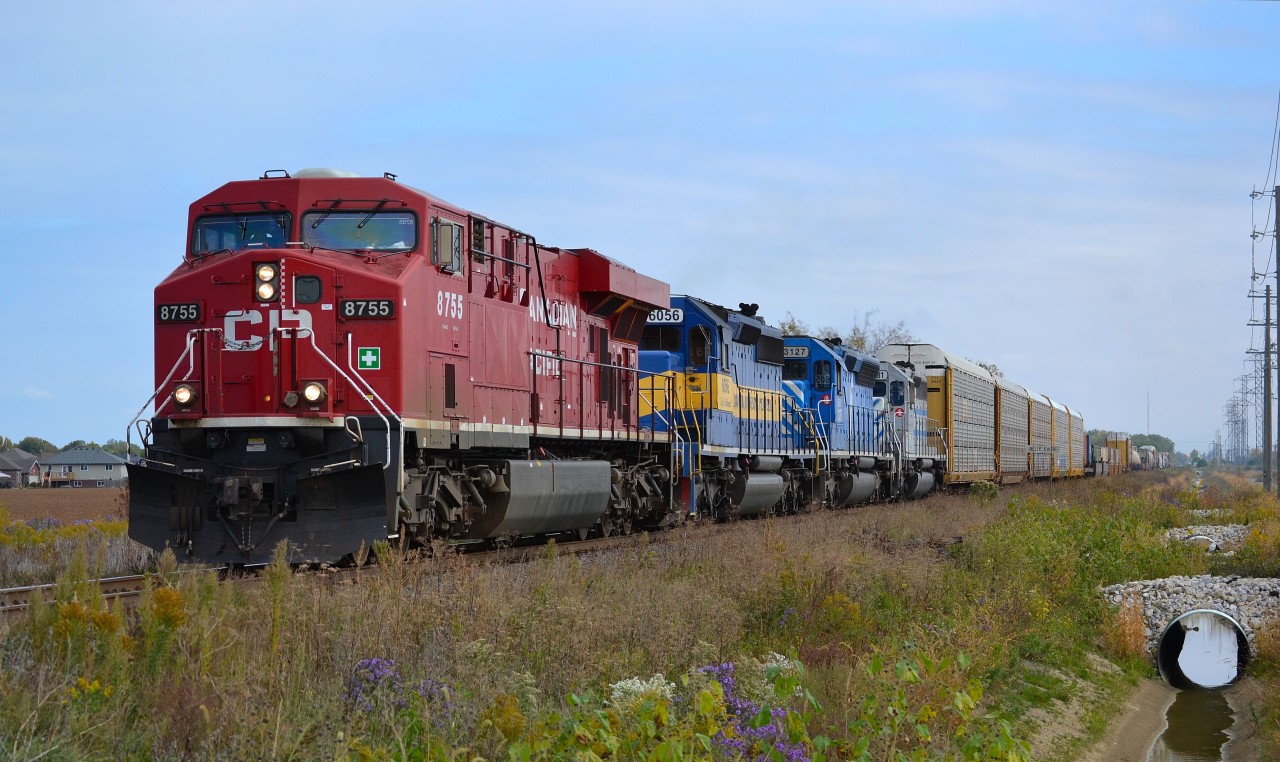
point(342, 361)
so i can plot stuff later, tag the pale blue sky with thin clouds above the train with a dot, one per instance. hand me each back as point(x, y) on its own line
point(1060, 189)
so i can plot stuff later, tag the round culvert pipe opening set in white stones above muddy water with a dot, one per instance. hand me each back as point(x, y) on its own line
point(1203, 649)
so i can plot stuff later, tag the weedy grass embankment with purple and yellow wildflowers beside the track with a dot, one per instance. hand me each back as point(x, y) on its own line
point(894, 647)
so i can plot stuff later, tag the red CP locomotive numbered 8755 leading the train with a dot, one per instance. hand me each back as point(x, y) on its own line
point(342, 361)
